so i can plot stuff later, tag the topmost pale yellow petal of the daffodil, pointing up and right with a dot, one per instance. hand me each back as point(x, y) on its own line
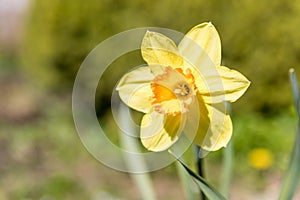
point(205, 36)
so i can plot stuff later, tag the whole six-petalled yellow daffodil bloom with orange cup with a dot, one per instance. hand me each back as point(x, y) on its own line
point(178, 82)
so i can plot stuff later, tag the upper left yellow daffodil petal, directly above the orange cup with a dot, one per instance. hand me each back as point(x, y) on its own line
point(160, 51)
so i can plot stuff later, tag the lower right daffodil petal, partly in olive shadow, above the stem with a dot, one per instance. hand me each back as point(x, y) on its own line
point(214, 126)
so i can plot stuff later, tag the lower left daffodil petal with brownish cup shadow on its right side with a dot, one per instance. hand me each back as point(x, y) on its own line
point(159, 132)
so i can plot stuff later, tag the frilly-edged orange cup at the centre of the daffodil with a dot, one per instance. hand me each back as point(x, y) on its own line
point(174, 91)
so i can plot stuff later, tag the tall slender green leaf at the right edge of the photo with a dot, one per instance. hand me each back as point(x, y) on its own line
point(291, 179)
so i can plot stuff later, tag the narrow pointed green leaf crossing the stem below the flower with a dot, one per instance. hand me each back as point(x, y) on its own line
point(206, 188)
